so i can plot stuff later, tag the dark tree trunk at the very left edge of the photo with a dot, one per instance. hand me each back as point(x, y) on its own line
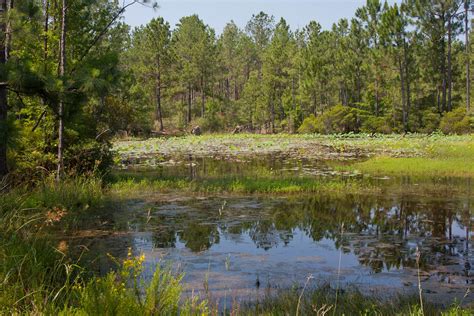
point(3, 89)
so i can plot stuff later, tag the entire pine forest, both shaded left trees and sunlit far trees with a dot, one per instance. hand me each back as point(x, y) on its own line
point(73, 75)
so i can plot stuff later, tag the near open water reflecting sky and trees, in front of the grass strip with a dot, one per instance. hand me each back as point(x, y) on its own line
point(282, 240)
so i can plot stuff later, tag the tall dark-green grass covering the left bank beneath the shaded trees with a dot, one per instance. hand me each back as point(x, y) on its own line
point(34, 272)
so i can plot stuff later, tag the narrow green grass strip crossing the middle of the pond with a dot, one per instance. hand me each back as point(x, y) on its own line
point(126, 185)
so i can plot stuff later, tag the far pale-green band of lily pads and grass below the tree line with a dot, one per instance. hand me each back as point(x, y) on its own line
point(395, 145)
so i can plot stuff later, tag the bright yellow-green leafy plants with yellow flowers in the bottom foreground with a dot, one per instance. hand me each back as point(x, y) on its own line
point(118, 293)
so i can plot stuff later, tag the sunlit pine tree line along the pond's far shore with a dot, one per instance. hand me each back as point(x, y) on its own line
point(391, 68)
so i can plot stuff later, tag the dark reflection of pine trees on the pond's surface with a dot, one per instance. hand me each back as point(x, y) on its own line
point(382, 231)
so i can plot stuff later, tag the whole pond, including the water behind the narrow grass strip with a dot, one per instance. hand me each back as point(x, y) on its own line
point(237, 247)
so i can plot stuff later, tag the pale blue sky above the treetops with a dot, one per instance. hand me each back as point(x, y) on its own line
point(217, 13)
